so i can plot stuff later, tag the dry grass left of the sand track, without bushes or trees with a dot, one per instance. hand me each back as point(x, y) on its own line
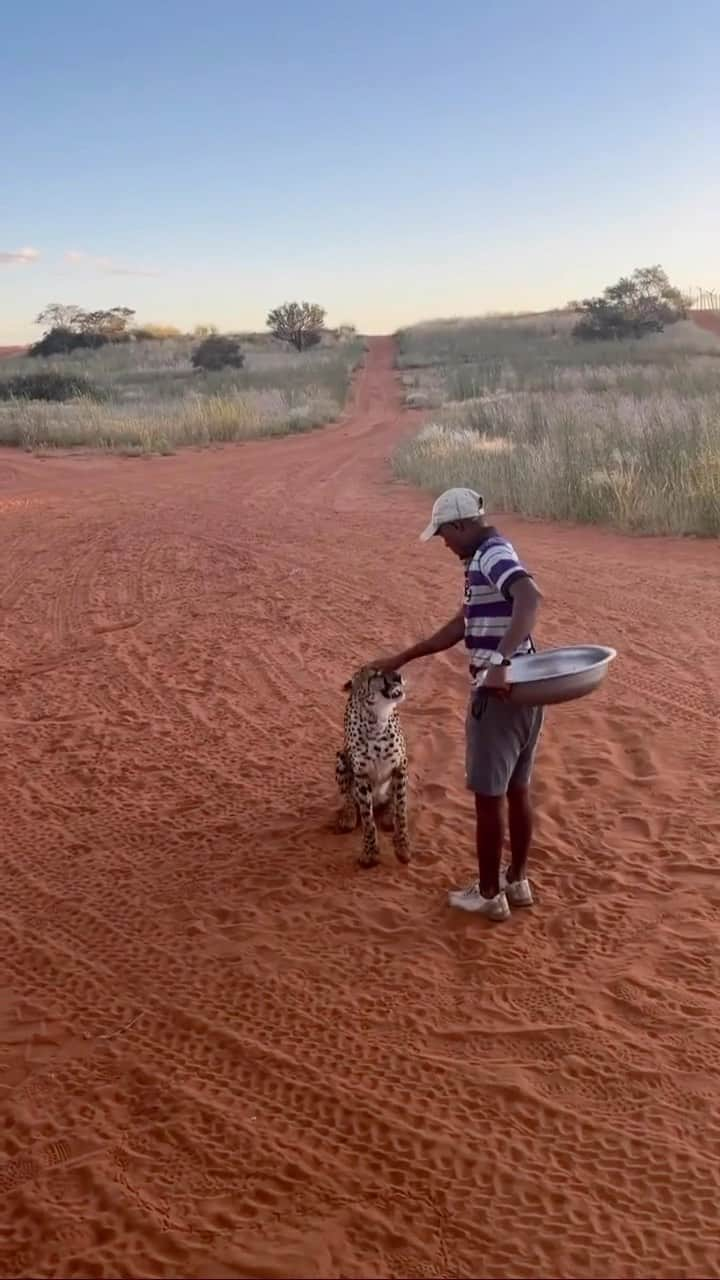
point(156, 401)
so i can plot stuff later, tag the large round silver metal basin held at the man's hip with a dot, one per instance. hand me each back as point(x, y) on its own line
point(559, 675)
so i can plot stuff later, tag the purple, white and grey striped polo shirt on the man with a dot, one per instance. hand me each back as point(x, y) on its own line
point(489, 605)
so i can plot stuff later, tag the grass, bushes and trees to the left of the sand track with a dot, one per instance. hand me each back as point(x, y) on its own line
point(98, 381)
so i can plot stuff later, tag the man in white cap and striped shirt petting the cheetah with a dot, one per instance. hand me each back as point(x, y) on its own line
point(496, 623)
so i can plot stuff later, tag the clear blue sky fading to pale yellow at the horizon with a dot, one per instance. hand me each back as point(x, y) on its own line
point(391, 162)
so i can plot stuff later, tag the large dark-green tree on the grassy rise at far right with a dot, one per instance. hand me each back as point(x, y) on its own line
point(637, 305)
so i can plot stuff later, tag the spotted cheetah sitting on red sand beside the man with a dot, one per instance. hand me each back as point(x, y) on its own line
point(372, 770)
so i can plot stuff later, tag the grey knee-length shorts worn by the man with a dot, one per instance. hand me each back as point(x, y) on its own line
point(500, 744)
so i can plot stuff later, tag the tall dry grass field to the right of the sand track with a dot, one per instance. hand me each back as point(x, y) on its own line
point(617, 435)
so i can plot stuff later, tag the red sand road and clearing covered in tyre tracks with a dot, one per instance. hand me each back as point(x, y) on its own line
point(227, 1053)
